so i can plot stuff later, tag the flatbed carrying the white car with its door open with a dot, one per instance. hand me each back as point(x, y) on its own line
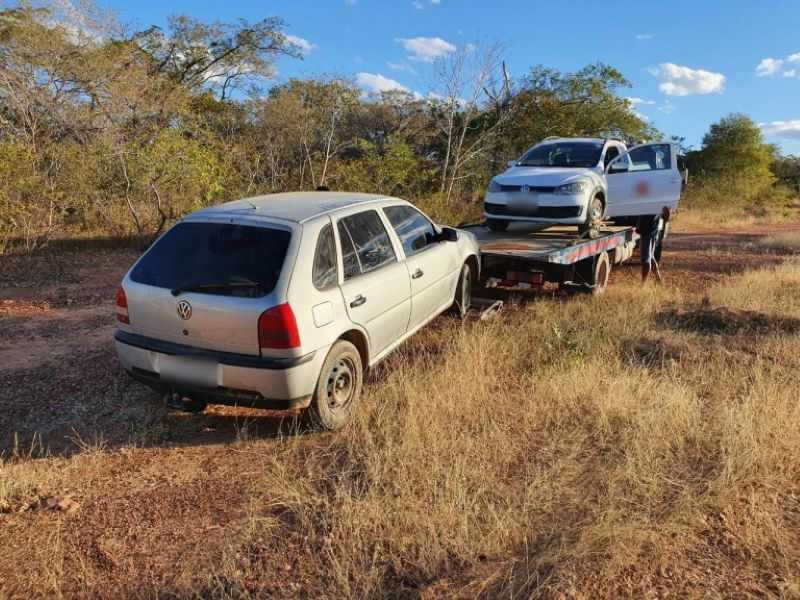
point(527, 256)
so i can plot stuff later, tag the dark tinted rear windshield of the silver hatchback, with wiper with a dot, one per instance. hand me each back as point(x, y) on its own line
point(215, 258)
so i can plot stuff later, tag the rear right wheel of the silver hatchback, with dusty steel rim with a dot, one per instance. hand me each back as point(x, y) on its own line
point(338, 388)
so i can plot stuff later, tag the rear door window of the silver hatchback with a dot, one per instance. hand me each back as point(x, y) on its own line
point(365, 243)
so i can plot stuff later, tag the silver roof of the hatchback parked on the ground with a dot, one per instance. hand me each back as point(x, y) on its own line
point(290, 206)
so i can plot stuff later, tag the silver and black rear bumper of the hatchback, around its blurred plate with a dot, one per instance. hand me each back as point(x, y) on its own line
point(242, 380)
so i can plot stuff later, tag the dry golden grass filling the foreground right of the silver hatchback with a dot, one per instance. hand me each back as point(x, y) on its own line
point(574, 448)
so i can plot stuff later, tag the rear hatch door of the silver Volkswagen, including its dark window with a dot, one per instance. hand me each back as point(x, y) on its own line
point(205, 283)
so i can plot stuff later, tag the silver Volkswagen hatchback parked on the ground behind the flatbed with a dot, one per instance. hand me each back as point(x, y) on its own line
point(283, 301)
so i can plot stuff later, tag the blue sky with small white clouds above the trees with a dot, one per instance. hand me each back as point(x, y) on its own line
point(690, 63)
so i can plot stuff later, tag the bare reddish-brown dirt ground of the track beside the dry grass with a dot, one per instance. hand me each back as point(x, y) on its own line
point(168, 481)
